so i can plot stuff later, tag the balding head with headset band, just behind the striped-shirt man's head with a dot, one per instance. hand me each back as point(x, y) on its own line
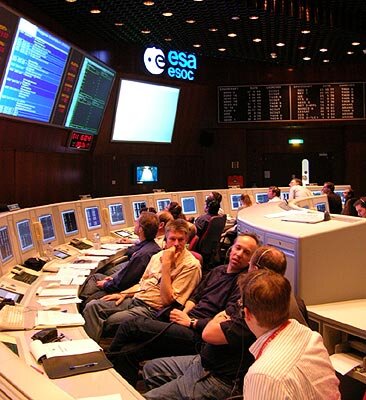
point(268, 257)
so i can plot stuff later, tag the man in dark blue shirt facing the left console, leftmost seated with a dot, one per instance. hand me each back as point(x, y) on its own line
point(129, 273)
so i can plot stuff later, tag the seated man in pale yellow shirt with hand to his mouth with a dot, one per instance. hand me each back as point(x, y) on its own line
point(171, 276)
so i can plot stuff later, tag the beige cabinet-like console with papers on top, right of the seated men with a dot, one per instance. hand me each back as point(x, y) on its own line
point(326, 260)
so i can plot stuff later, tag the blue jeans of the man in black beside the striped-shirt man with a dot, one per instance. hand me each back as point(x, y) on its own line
point(182, 378)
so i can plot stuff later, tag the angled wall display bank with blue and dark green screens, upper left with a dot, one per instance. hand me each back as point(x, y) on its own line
point(43, 79)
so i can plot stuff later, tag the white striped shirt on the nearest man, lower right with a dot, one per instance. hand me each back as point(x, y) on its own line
point(294, 365)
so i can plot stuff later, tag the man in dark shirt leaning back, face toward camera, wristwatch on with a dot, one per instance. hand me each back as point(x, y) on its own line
point(217, 292)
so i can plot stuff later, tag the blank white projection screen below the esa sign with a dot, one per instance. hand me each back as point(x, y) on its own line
point(145, 112)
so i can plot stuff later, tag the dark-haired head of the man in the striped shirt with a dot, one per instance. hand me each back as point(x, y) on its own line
point(266, 296)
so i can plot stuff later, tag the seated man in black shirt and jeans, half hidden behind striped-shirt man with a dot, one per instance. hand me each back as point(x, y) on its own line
point(217, 372)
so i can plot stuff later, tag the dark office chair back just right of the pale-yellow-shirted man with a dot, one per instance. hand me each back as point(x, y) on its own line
point(208, 245)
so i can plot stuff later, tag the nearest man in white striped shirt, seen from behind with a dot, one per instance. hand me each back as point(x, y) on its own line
point(291, 361)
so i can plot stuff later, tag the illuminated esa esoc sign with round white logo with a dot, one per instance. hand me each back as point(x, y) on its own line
point(177, 64)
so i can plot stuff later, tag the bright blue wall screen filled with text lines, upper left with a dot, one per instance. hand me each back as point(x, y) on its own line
point(33, 73)
